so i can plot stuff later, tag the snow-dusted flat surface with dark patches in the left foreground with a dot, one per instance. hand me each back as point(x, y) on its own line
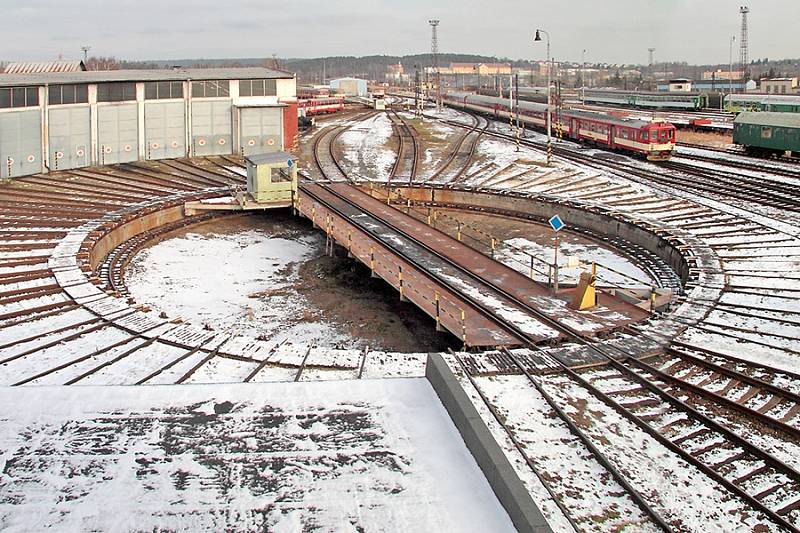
point(348, 456)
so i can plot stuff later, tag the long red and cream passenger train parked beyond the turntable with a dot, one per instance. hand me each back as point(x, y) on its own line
point(655, 140)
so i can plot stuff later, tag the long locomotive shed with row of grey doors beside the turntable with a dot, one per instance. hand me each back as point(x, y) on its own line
point(56, 121)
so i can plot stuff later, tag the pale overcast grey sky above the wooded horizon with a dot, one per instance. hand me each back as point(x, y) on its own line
point(614, 31)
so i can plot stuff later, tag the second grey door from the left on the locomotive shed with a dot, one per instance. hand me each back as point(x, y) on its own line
point(70, 137)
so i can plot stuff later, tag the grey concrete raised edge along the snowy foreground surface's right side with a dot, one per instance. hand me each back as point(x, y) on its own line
point(507, 486)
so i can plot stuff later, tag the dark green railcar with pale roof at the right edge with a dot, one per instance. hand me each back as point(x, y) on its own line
point(768, 133)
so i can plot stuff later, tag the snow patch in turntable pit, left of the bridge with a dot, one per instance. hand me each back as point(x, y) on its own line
point(238, 281)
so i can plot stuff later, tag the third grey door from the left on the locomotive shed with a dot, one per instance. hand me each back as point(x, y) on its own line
point(117, 134)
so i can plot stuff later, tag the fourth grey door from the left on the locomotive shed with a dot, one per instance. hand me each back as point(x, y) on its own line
point(164, 130)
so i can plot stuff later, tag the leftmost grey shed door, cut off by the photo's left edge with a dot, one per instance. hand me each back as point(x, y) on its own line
point(20, 143)
